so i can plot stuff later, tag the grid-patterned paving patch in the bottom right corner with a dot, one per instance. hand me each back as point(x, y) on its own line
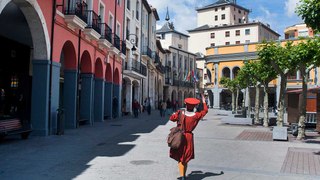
point(302, 161)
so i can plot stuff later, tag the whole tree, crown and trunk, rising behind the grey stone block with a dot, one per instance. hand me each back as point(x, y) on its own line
point(281, 60)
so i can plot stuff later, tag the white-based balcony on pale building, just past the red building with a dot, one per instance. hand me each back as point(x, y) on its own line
point(135, 69)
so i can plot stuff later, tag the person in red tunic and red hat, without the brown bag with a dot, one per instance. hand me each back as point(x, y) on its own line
point(186, 151)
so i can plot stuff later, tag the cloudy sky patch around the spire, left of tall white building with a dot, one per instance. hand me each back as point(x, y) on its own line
point(182, 12)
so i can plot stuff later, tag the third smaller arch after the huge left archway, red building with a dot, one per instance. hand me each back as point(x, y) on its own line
point(98, 91)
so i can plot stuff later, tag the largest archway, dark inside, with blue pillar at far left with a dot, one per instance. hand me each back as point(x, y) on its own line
point(25, 63)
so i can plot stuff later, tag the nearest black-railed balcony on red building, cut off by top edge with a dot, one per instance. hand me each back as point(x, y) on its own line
point(76, 15)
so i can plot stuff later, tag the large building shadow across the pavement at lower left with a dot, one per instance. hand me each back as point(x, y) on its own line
point(71, 153)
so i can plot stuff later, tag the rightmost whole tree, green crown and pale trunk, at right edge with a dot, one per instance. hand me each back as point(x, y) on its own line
point(306, 57)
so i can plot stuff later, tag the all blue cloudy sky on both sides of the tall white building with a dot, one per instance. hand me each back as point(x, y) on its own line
point(278, 13)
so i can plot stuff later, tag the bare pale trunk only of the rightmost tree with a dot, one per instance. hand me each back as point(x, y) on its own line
point(302, 108)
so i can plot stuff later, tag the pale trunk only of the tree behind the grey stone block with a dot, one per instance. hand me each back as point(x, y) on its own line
point(283, 88)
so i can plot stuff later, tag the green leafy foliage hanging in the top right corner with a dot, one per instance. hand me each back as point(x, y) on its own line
point(309, 11)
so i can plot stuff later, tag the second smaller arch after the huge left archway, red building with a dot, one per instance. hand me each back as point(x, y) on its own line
point(86, 89)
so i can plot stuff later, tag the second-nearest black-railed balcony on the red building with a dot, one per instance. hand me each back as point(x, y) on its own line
point(93, 29)
